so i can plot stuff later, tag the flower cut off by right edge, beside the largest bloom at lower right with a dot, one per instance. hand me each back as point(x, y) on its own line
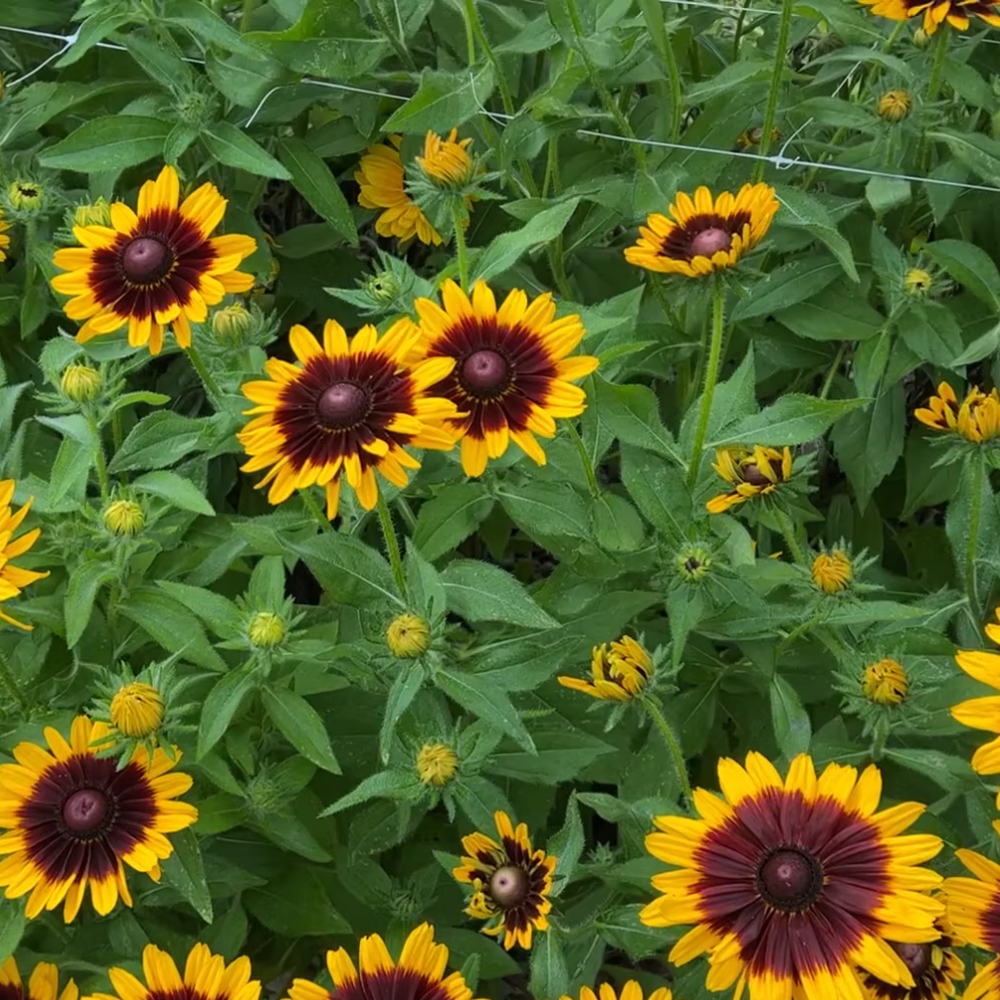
point(974, 911)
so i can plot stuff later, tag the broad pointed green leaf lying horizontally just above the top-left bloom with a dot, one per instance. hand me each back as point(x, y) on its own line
point(112, 143)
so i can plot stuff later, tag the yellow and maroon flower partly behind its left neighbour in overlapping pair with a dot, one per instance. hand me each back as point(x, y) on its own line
point(511, 376)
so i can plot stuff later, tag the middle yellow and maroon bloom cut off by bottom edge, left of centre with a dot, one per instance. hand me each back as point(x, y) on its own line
point(418, 975)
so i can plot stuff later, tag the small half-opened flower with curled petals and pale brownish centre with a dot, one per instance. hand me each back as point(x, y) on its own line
point(512, 882)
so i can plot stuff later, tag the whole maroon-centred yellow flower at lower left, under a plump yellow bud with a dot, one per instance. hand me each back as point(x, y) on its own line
point(74, 820)
